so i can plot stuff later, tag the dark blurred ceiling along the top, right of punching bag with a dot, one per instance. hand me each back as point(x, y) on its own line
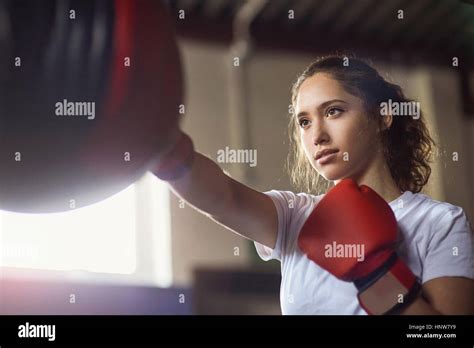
point(431, 30)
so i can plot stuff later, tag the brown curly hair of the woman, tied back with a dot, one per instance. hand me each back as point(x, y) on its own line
point(407, 144)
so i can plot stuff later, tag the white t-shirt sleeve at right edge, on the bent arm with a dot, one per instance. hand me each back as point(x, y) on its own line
point(450, 250)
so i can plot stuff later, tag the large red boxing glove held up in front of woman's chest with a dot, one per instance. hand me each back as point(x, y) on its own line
point(352, 234)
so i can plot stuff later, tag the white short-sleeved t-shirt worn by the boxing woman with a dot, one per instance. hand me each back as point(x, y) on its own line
point(435, 240)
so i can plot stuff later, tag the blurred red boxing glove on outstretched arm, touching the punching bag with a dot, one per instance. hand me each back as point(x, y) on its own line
point(177, 161)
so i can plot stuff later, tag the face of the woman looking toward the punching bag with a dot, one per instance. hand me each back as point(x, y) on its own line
point(335, 121)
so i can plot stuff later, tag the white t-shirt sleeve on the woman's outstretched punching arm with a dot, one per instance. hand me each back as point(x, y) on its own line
point(284, 201)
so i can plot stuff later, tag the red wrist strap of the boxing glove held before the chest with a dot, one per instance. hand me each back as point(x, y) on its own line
point(390, 288)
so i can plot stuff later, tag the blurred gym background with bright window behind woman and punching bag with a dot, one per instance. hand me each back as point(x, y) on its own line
point(143, 251)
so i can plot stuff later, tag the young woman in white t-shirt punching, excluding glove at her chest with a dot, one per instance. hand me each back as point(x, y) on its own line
point(339, 132)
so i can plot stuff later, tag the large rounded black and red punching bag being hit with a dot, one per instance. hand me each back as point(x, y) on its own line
point(90, 94)
